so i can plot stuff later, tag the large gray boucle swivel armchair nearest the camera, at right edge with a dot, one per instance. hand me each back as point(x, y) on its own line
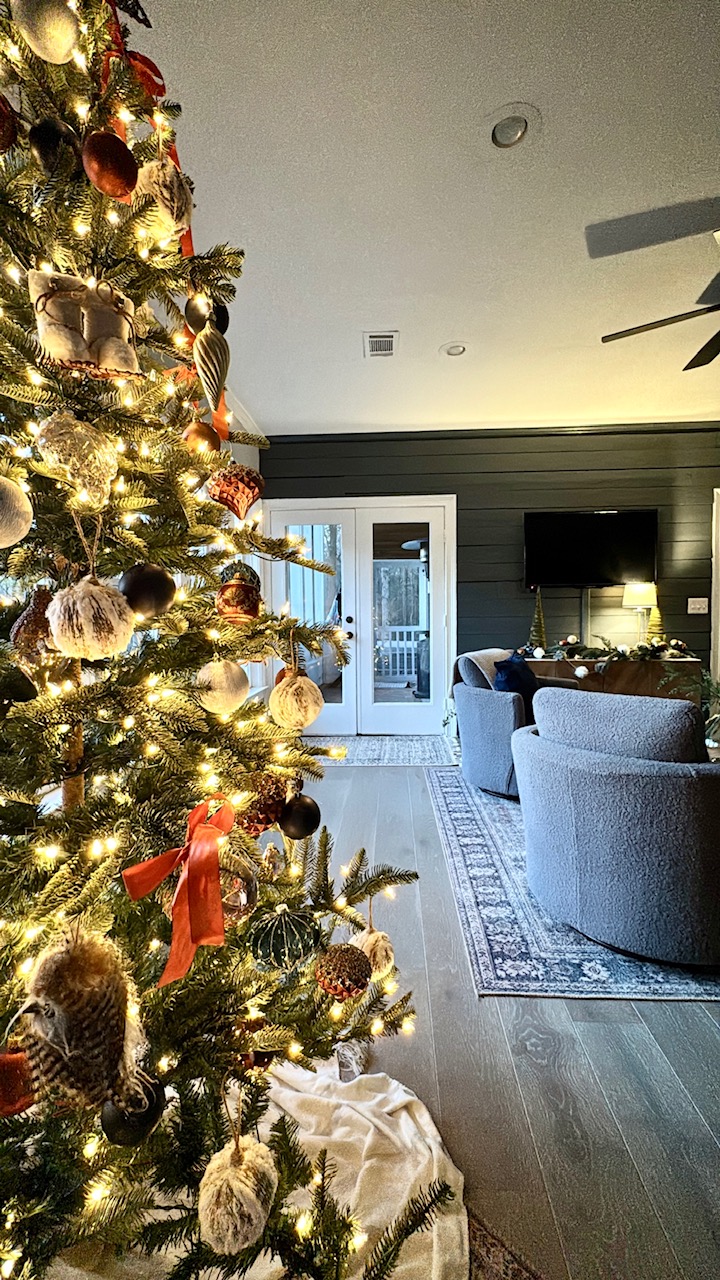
point(622, 812)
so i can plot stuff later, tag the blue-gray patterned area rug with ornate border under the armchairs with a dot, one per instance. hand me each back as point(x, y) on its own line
point(514, 948)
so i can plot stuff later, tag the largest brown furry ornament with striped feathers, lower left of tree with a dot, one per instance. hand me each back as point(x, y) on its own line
point(79, 1037)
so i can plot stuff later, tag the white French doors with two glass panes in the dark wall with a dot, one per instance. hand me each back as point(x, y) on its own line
point(391, 593)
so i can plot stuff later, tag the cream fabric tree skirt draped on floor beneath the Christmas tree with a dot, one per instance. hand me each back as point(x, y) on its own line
point(386, 1149)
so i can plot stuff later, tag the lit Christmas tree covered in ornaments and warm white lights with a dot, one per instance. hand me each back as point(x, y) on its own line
point(157, 959)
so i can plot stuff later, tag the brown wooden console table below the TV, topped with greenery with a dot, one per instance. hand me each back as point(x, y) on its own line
point(628, 676)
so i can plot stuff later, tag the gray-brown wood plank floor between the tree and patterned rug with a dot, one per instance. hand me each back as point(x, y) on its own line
point(587, 1131)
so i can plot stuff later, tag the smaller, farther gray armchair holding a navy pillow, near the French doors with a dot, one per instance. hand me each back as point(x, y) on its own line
point(487, 720)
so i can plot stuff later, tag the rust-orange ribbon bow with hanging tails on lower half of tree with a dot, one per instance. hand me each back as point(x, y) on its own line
point(198, 904)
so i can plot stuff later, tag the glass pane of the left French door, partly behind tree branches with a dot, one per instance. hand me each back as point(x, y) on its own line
point(315, 597)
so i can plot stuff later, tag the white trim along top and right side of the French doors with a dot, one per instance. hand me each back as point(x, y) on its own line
point(391, 508)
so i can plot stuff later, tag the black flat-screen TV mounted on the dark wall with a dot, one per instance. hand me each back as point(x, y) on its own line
point(590, 548)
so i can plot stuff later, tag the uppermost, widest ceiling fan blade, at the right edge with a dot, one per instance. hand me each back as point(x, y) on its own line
point(653, 227)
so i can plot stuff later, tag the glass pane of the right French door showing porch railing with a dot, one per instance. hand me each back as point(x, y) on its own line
point(402, 612)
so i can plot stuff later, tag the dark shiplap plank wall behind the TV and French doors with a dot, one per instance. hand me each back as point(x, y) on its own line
point(499, 476)
